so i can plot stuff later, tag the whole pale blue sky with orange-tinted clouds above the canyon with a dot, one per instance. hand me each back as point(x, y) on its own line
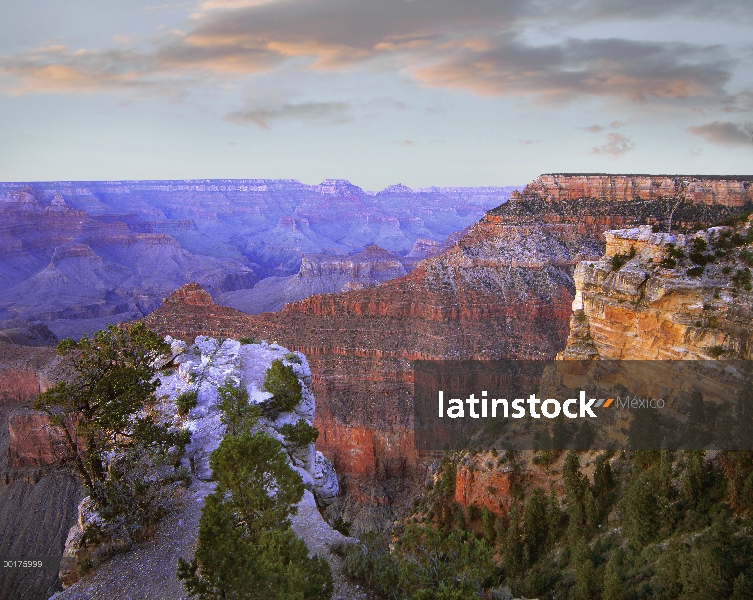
point(419, 92)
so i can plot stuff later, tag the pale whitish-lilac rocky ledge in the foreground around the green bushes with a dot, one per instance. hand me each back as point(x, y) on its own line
point(203, 367)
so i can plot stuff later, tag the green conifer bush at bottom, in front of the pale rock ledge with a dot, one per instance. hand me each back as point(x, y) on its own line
point(246, 548)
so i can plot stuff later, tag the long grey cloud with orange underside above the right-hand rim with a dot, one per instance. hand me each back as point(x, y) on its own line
point(636, 70)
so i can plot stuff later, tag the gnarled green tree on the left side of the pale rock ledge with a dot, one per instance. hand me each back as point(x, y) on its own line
point(112, 440)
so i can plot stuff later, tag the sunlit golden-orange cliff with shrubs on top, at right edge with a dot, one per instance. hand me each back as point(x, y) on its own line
point(661, 304)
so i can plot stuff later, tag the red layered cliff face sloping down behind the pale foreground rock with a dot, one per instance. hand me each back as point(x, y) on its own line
point(504, 290)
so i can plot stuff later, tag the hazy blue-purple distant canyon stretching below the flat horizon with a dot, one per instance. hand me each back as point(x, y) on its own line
point(75, 256)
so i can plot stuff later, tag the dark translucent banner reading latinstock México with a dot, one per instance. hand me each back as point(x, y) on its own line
point(629, 405)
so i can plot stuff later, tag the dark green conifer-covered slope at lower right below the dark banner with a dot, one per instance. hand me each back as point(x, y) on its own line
point(652, 525)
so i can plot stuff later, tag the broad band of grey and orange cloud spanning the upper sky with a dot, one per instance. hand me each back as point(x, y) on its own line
point(473, 46)
